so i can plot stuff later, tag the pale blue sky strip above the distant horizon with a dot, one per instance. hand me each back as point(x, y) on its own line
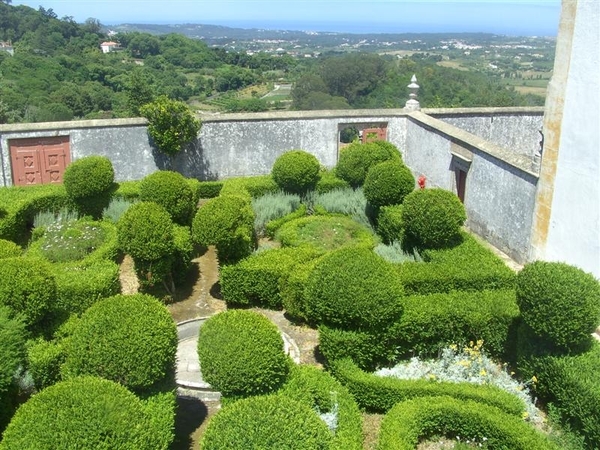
point(511, 17)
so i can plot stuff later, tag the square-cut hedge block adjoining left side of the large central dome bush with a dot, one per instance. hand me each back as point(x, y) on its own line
point(256, 279)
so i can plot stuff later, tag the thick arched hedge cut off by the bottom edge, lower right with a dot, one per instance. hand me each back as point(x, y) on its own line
point(409, 422)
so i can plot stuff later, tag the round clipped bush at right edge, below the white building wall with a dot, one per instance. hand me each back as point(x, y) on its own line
point(559, 302)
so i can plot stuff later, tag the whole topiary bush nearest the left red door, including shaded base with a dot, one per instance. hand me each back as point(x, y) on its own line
point(89, 182)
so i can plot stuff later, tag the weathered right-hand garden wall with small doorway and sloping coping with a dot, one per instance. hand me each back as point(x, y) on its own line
point(500, 185)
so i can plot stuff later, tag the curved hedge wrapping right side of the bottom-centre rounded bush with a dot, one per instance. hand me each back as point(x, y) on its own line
point(320, 391)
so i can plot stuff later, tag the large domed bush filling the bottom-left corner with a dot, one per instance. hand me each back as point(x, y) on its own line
point(85, 412)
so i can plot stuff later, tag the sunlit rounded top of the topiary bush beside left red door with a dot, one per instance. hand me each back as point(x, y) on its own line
point(88, 177)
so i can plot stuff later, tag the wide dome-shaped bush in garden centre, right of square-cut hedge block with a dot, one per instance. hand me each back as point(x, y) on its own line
point(353, 288)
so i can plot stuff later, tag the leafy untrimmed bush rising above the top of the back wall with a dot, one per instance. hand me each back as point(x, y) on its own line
point(171, 124)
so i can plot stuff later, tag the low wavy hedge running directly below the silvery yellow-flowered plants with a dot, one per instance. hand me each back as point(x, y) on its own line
point(379, 394)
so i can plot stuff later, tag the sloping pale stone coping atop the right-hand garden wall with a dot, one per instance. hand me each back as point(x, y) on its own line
point(472, 141)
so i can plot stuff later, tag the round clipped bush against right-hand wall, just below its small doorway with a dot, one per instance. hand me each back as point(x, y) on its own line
point(432, 217)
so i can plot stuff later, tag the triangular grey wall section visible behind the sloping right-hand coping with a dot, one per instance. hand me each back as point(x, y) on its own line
point(516, 129)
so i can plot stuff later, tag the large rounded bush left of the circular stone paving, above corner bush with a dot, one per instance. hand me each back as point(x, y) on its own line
point(130, 339)
